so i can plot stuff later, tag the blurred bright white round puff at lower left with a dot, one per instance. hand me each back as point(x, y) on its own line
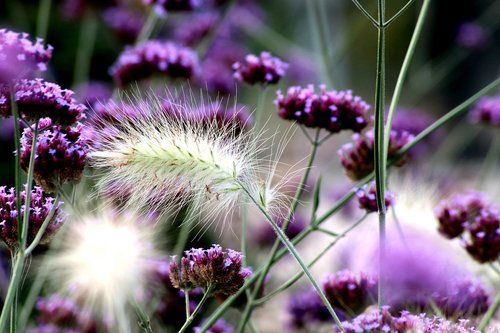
point(105, 261)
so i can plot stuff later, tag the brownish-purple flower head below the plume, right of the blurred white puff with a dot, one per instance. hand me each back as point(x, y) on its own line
point(212, 269)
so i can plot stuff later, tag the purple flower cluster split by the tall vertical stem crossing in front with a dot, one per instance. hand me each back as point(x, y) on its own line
point(357, 157)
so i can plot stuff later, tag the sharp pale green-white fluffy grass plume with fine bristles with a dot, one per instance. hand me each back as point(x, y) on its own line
point(162, 154)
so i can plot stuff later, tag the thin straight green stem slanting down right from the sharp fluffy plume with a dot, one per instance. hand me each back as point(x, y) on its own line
point(292, 250)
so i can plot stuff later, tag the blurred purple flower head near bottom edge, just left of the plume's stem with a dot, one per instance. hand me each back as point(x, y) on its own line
point(306, 308)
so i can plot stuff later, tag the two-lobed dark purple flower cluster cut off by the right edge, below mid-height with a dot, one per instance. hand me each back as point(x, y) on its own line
point(475, 220)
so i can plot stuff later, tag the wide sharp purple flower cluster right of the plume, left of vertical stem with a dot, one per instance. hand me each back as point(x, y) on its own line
point(331, 110)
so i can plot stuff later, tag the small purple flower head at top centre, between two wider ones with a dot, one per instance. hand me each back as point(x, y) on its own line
point(264, 69)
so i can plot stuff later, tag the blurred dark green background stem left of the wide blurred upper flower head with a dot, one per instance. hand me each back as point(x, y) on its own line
point(86, 43)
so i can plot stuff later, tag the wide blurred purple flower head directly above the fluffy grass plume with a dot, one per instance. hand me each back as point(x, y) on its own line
point(154, 57)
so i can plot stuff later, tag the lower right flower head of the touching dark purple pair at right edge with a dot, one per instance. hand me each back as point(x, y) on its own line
point(483, 241)
